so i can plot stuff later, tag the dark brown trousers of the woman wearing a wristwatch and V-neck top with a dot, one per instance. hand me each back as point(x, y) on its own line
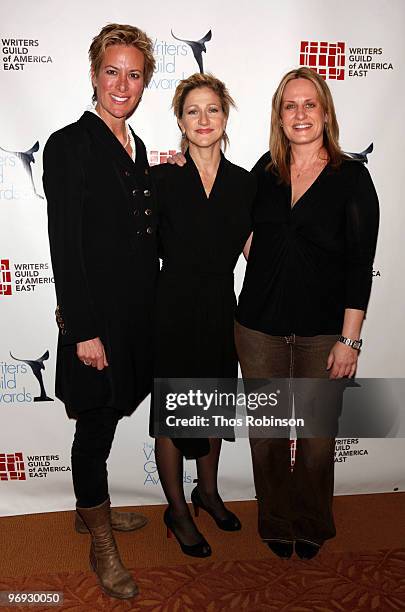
point(292, 504)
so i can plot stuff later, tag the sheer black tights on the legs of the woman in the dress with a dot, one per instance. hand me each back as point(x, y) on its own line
point(169, 461)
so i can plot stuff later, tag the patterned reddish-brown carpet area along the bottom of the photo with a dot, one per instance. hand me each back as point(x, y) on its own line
point(332, 582)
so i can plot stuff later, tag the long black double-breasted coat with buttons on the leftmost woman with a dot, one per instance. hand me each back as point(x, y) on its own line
point(102, 233)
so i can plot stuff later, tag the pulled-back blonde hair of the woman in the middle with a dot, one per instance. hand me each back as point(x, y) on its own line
point(196, 81)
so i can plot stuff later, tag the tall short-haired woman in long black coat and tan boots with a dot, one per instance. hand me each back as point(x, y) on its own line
point(101, 212)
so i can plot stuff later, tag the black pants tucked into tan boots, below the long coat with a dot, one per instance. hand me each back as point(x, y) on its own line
point(91, 447)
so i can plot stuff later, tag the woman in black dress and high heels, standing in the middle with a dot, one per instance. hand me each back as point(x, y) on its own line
point(204, 222)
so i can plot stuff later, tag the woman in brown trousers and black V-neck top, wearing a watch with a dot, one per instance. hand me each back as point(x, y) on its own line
point(304, 297)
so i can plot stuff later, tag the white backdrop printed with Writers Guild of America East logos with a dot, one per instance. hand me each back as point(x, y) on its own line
point(44, 76)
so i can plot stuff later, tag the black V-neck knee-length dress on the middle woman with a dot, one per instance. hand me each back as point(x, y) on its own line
point(200, 241)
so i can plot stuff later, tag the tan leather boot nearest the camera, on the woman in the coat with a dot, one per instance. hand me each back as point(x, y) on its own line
point(115, 580)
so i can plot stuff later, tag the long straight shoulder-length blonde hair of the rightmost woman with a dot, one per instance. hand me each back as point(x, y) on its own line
point(280, 151)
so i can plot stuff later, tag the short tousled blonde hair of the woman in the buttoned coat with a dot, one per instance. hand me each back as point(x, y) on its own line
point(117, 34)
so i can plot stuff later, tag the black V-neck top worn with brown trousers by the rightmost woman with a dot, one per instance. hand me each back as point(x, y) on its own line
point(308, 263)
